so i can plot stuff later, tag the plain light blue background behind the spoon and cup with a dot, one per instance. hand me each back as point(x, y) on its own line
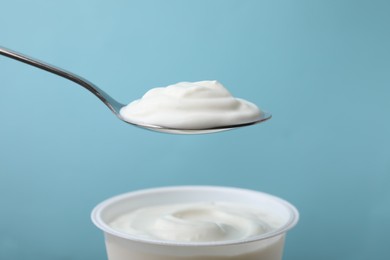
point(321, 67)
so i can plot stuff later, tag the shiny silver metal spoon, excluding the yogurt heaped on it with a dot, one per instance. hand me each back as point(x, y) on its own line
point(114, 105)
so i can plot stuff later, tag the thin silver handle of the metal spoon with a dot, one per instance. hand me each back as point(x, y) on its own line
point(111, 103)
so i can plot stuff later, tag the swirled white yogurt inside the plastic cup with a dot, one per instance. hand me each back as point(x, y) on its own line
point(196, 222)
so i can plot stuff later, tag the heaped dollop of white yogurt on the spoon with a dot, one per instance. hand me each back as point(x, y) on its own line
point(190, 105)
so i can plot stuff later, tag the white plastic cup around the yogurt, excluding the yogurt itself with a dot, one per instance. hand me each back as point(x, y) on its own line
point(122, 246)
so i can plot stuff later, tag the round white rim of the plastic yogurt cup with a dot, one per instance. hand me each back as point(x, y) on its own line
point(98, 221)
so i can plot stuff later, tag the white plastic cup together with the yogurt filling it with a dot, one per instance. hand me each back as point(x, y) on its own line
point(161, 238)
